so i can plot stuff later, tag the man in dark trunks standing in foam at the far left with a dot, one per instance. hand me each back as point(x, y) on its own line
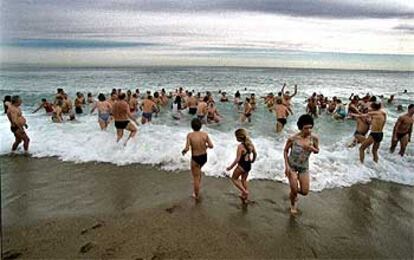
point(17, 124)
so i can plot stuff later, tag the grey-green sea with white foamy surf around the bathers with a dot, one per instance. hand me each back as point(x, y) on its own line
point(160, 143)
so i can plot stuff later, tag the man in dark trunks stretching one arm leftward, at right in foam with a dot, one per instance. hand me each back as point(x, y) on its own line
point(378, 119)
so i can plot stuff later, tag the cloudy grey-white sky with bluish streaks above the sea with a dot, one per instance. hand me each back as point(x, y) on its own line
point(346, 34)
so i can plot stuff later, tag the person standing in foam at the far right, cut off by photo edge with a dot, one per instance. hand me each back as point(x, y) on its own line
point(403, 129)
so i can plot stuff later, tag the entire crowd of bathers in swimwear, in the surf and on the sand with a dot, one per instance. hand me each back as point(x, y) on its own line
point(123, 109)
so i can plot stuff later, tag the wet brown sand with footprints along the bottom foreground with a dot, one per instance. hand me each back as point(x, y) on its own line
point(55, 209)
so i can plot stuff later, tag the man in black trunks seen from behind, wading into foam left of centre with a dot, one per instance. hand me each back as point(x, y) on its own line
point(121, 114)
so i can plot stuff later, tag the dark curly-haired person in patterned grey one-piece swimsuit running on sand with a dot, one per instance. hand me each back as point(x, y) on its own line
point(297, 151)
